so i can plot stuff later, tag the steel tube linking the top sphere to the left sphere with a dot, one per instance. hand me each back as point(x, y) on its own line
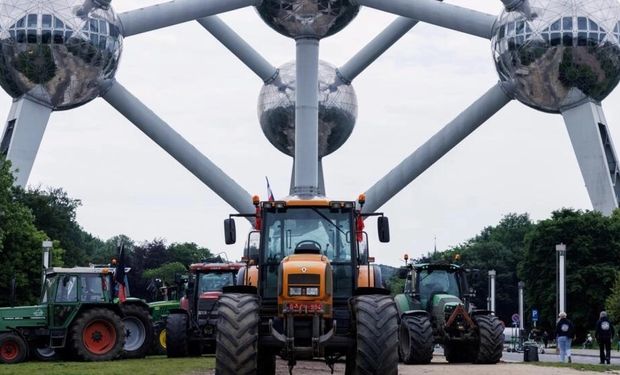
point(162, 15)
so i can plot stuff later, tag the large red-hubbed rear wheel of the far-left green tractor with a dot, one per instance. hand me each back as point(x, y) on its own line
point(97, 335)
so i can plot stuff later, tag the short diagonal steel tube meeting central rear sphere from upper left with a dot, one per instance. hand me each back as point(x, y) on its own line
point(239, 47)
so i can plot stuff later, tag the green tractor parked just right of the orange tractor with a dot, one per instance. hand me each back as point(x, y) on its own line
point(435, 309)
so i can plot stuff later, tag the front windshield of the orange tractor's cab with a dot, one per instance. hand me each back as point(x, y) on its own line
point(326, 230)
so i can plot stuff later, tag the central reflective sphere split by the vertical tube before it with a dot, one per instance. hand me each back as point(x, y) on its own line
point(337, 110)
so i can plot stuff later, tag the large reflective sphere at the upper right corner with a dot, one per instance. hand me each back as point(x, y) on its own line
point(566, 52)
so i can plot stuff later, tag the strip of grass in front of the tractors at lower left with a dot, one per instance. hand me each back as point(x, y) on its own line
point(159, 365)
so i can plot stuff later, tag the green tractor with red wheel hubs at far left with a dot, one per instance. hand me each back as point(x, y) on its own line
point(79, 316)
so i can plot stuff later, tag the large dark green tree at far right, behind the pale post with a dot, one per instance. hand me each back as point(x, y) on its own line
point(593, 254)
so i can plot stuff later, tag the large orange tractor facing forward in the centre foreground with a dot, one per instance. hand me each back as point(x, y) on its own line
point(310, 291)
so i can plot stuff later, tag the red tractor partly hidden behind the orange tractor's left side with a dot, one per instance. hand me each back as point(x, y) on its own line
point(191, 329)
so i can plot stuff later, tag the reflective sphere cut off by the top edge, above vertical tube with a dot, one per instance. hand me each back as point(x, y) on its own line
point(307, 18)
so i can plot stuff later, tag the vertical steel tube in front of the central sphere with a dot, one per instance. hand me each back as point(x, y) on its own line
point(307, 118)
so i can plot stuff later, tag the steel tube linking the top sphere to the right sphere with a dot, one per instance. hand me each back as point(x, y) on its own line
point(438, 13)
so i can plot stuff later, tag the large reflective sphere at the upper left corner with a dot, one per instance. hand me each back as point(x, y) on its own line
point(58, 51)
